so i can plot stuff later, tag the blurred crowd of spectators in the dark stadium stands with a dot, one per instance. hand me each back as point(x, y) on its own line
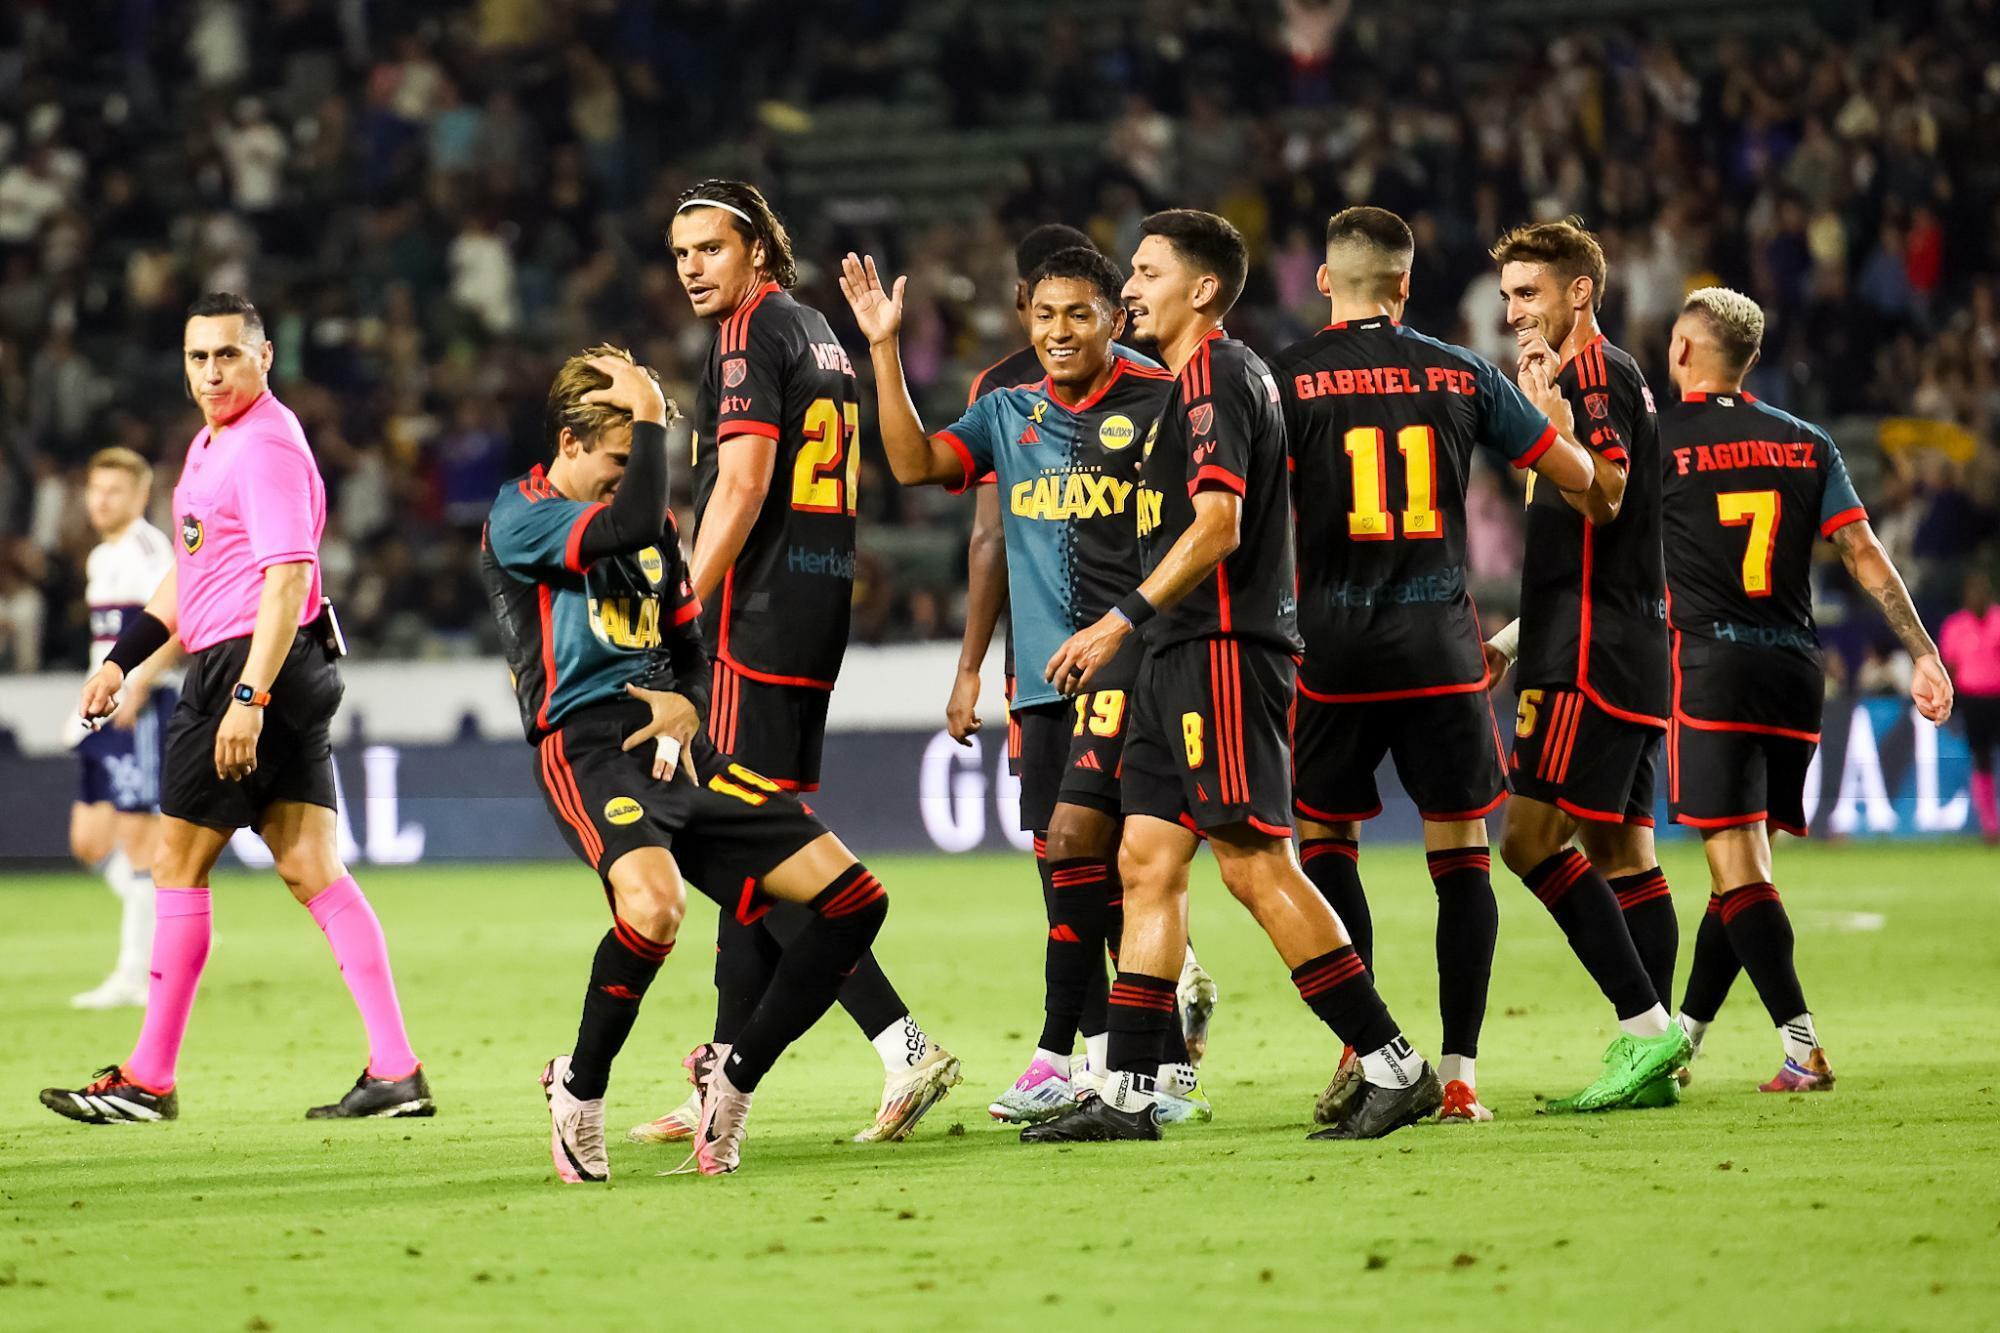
point(433, 203)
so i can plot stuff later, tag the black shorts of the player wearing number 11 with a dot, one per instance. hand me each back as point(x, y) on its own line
point(1447, 754)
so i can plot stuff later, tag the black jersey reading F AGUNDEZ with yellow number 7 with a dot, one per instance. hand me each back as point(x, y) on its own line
point(1749, 489)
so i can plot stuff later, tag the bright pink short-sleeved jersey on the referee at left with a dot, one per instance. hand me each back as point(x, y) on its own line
point(247, 501)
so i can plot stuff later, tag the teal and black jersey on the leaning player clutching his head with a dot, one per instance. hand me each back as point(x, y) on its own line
point(577, 633)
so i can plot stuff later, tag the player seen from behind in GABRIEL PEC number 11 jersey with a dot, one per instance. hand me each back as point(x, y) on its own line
point(1383, 425)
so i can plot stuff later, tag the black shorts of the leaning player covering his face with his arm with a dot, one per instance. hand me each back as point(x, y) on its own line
point(725, 834)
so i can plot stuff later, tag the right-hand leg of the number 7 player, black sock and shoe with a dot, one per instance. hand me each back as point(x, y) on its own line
point(1761, 938)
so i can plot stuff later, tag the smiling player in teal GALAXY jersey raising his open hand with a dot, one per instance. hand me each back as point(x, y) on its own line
point(1065, 455)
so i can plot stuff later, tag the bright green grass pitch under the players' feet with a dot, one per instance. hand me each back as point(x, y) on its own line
point(1877, 1206)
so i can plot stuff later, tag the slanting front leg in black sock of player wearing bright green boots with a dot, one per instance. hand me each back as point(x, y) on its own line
point(1537, 846)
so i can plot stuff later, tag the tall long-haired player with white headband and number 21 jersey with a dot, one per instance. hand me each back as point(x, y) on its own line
point(777, 461)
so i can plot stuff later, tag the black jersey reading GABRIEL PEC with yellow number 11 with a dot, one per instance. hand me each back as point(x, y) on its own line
point(1383, 423)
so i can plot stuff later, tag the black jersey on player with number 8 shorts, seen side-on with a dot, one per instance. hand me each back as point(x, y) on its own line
point(1221, 431)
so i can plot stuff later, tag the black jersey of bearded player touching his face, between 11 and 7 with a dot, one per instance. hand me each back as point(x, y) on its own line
point(1593, 601)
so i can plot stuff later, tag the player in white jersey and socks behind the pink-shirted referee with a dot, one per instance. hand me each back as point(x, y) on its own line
point(117, 816)
